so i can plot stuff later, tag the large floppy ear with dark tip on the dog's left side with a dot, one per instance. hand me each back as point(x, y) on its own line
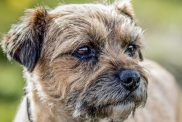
point(23, 42)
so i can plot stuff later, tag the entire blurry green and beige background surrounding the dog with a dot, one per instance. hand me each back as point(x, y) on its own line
point(161, 20)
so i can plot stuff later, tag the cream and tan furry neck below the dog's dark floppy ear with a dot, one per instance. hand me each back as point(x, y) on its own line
point(39, 108)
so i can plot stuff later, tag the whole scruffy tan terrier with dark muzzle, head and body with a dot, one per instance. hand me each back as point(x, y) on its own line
point(83, 63)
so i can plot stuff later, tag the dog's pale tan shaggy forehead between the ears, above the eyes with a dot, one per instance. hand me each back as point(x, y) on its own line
point(92, 22)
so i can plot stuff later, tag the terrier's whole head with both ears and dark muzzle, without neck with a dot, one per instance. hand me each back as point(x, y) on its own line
point(84, 57)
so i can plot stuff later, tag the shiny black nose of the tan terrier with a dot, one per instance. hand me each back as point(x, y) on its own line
point(130, 79)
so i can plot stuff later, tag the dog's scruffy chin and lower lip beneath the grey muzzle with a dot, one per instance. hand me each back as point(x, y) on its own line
point(117, 110)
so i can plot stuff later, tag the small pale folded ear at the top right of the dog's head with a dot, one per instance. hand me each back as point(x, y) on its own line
point(124, 7)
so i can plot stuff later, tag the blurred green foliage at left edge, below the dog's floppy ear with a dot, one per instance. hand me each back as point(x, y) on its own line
point(11, 90)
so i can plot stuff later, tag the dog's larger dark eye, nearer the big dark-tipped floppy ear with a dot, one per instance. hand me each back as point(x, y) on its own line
point(84, 53)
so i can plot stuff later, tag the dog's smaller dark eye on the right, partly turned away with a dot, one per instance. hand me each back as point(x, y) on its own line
point(131, 50)
